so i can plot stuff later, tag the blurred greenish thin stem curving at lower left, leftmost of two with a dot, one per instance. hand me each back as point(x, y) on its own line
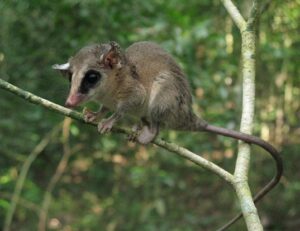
point(23, 174)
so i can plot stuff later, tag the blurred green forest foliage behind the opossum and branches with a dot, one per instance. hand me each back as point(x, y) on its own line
point(67, 177)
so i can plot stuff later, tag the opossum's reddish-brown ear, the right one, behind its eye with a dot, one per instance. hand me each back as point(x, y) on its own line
point(112, 58)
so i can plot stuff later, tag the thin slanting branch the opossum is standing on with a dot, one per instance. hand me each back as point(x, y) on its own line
point(78, 116)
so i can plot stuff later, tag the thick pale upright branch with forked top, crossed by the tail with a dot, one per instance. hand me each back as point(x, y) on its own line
point(248, 72)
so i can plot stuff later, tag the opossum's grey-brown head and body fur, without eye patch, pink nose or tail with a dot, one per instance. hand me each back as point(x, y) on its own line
point(144, 81)
